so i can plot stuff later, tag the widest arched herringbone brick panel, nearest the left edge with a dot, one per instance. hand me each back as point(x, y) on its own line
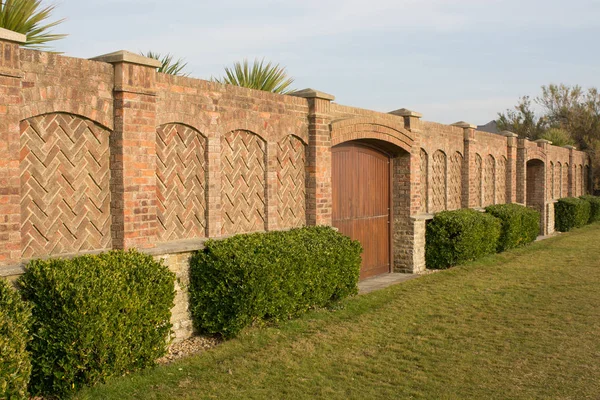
point(65, 196)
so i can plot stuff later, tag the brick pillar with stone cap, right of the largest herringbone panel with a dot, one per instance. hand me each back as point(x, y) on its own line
point(133, 150)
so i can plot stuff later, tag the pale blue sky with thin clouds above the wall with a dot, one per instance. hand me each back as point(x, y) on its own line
point(448, 59)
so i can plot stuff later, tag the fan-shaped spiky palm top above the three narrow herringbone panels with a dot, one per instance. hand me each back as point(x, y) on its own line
point(261, 76)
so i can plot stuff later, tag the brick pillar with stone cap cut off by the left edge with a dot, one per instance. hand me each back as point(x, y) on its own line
point(10, 146)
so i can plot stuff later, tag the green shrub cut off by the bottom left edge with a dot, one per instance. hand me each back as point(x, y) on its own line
point(15, 364)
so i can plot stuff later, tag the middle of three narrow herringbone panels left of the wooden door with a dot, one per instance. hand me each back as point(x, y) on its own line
point(243, 182)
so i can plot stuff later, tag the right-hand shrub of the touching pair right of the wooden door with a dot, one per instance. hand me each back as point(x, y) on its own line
point(520, 225)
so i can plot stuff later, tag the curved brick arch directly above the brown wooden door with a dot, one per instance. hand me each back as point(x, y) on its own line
point(371, 128)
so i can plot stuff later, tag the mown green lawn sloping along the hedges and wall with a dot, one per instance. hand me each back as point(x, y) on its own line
point(521, 325)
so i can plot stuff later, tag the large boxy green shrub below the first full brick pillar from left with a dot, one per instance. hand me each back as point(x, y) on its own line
point(95, 317)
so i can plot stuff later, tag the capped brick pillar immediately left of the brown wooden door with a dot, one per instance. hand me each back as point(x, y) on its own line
point(318, 166)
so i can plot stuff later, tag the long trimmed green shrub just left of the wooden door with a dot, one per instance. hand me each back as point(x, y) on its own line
point(270, 276)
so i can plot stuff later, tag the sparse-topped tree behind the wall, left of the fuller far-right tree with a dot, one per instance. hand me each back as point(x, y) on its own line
point(522, 120)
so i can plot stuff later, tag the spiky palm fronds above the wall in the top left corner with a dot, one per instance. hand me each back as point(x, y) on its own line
point(29, 18)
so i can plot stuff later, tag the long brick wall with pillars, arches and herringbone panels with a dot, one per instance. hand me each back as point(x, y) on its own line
point(107, 153)
